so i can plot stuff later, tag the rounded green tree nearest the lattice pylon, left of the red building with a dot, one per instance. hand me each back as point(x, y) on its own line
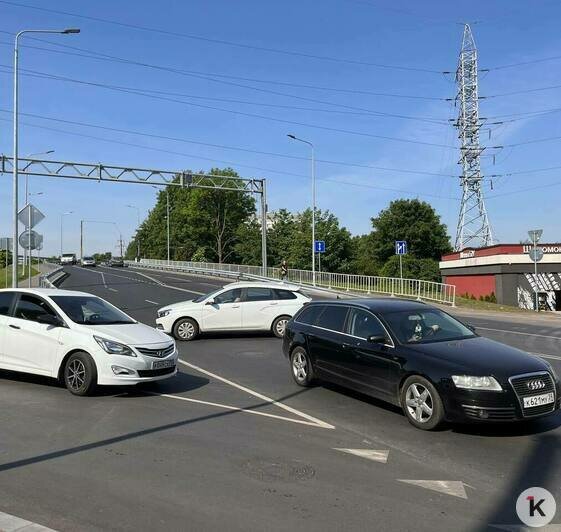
point(414, 221)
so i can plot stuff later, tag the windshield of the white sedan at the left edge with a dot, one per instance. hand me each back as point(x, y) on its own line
point(91, 310)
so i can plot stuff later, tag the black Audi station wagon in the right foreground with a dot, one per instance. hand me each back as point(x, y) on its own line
point(419, 358)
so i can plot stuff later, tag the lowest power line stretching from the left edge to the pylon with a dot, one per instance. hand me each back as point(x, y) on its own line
point(350, 183)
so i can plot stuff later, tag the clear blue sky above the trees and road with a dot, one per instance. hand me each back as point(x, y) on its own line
point(363, 80)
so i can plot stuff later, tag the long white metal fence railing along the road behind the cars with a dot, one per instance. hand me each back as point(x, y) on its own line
point(363, 284)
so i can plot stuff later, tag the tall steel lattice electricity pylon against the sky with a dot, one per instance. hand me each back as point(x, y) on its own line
point(473, 228)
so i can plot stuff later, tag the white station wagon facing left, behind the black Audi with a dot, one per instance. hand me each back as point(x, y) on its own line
point(236, 306)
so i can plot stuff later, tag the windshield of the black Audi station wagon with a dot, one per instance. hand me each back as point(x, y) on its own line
point(425, 326)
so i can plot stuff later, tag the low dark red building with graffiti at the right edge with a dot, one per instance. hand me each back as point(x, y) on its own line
point(506, 271)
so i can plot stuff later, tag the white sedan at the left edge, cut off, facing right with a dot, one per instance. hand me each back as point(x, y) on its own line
point(80, 339)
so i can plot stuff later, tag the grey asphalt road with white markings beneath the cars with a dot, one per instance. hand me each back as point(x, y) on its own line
point(233, 444)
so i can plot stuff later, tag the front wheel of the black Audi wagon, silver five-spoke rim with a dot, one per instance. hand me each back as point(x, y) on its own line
point(421, 403)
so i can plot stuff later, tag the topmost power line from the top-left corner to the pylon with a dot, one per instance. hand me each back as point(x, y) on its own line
point(222, 41)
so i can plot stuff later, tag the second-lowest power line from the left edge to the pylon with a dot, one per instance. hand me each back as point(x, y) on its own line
point(221, 146)
